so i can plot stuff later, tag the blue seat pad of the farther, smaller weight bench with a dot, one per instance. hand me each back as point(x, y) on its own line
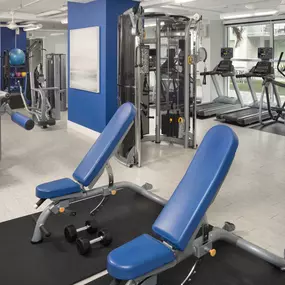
point(57, 188)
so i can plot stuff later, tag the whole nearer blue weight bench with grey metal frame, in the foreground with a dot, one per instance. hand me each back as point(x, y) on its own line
point(181, 228)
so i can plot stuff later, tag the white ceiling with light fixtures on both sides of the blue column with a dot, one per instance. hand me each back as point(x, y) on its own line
point(211, 9)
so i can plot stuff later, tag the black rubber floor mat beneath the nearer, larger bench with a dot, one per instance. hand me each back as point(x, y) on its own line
point(231, 266)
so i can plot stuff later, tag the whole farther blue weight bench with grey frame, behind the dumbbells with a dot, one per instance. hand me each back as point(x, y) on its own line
point(68, 191)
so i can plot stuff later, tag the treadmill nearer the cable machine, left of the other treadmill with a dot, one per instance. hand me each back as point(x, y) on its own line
point(222, 103)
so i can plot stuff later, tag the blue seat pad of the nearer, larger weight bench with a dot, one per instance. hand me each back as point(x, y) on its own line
point(138, 257)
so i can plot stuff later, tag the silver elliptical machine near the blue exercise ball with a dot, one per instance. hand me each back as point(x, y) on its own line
point(44, 106)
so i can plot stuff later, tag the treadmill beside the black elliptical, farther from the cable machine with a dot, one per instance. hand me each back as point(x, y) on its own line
point(250, 115)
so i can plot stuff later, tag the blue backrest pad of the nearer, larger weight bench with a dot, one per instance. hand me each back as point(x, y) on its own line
point(201, 183)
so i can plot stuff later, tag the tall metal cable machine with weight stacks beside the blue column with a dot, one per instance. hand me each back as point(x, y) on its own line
point(176, 71)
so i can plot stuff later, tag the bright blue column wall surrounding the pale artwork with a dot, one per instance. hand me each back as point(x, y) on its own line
point(94, 110)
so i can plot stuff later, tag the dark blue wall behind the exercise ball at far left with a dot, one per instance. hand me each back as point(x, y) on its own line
point(9, 40)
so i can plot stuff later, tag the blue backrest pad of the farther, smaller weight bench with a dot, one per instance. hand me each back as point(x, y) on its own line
point(104, 147)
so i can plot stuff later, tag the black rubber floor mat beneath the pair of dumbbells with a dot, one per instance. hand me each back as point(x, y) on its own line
point(54, 261)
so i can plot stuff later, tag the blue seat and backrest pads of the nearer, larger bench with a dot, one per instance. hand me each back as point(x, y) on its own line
point(184, 211)
